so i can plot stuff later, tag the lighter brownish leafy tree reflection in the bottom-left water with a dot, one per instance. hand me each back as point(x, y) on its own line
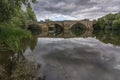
point(23, 69)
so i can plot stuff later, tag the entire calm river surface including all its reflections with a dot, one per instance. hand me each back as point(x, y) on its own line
point(88, 56)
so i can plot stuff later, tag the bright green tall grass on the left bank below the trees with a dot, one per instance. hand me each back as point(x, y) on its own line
point(11, 38)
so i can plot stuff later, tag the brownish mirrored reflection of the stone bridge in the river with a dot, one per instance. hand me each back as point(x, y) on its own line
point(67, 34)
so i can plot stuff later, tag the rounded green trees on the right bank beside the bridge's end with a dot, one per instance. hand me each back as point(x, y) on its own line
point(108, 22)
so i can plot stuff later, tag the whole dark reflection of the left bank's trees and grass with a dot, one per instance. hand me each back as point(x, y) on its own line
point(15, 66)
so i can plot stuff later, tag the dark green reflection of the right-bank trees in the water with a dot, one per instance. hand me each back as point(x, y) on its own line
point(112, 37)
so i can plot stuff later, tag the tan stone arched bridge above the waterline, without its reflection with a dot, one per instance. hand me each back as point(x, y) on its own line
point(66, 24)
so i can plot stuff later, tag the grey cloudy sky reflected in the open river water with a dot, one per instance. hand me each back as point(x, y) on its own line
point(77, 59)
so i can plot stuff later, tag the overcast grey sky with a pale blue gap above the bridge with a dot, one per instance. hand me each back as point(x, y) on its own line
point(74, 9)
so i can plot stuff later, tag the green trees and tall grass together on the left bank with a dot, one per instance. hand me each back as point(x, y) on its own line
point(13, 21)
